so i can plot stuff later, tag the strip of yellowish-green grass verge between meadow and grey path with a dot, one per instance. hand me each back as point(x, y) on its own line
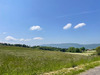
point(74, 70)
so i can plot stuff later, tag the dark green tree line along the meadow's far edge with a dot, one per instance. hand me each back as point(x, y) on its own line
point(70, 49)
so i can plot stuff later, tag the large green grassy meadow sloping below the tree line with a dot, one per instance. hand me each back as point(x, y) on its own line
point(28, 61)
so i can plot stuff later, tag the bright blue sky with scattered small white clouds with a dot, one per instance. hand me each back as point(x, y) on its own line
point(36, 22)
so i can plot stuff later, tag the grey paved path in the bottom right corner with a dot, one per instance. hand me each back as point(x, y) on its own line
point(94, 71)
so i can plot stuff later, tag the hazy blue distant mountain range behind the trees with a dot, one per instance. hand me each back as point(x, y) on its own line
point(67, 45)
